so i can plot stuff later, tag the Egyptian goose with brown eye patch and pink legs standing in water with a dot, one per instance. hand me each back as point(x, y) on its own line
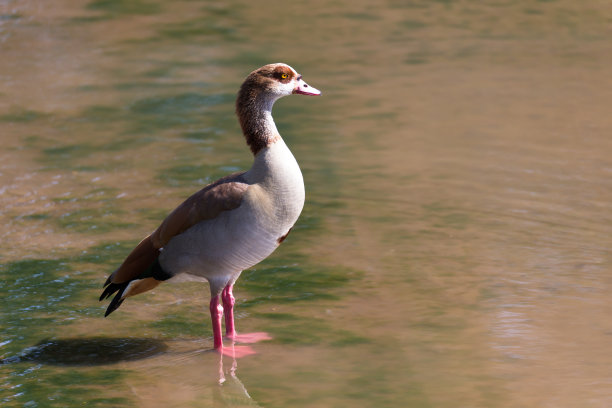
point(233, 223)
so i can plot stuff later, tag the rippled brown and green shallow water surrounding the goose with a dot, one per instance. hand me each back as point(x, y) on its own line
point(454, 250)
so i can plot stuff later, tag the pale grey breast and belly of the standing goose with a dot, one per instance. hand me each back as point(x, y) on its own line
point(238, 239)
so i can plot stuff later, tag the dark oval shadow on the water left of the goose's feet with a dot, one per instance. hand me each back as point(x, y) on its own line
point(90, 351)
